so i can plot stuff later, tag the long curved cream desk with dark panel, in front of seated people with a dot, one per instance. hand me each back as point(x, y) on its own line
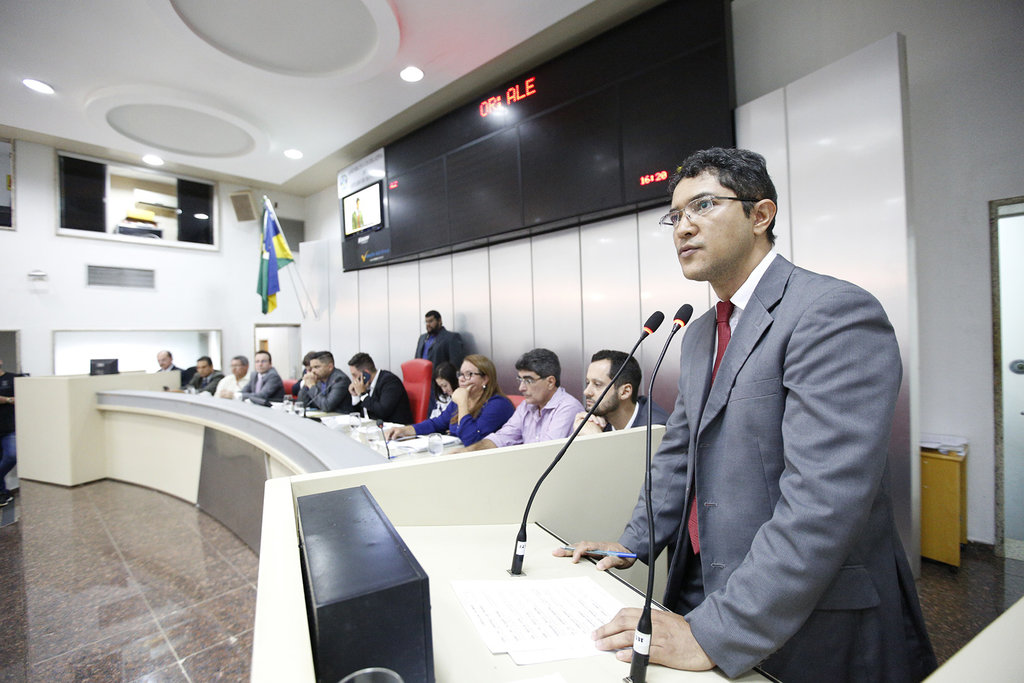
point(216, 453)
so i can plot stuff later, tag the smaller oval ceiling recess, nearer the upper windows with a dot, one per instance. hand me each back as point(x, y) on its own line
point(181, 131)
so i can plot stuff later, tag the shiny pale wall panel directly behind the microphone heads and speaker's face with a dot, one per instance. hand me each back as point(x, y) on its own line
point(664, 288)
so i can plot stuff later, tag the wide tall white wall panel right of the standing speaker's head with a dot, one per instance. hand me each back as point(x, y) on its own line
point(848, 187)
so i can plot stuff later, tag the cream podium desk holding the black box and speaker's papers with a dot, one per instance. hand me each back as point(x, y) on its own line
point(473, 499)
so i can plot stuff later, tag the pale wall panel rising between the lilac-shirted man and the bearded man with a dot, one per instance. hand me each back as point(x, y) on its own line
point(558, 317)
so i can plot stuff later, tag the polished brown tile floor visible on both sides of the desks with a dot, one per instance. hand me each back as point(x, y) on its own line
point(111, 582)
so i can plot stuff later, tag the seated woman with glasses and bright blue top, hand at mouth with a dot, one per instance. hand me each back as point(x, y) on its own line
point(478, 407)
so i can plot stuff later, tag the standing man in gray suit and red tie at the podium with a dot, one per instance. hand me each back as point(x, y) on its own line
point(771, 487)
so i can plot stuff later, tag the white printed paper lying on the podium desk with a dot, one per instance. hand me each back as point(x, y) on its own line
point(538, 621)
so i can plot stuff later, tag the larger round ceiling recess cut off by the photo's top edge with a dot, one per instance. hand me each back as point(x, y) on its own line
point(300, 37)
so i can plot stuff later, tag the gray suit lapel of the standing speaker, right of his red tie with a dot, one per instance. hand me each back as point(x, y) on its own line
point(754, 323)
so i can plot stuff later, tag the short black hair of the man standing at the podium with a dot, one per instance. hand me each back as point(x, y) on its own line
point(743, 172)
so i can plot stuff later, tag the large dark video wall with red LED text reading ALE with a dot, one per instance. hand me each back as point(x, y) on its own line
point(595, 133)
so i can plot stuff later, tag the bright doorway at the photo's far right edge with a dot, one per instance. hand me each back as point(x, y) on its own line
point(1007, 221)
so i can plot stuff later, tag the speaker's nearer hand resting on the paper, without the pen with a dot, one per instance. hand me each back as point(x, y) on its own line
point(672, 643)
